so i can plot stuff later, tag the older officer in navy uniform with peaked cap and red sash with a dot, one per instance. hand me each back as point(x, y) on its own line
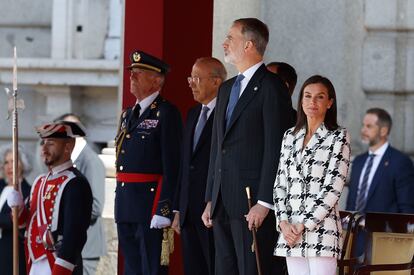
point(148, 154)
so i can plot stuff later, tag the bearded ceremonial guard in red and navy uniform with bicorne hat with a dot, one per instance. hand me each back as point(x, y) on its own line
point(58, 212)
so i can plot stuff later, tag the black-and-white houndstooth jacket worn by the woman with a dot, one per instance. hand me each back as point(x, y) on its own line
point(307, 188)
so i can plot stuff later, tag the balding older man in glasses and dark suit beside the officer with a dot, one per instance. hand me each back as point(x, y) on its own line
point(197, 241)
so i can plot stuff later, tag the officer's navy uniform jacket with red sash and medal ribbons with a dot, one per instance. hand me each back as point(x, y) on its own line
point(148, 156)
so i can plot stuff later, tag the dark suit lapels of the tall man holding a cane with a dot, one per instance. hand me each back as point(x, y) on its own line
point(248, 94)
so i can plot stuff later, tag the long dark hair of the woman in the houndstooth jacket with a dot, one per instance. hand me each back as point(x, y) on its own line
point(330, 116)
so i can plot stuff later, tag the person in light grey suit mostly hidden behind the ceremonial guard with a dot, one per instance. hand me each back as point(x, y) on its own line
point(87, 161)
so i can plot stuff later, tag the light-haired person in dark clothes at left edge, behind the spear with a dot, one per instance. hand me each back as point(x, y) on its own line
point(6, 223)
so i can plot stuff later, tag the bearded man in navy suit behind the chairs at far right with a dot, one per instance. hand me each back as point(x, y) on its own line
point(382, 180)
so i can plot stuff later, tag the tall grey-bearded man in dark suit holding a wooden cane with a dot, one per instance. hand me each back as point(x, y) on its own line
point(252, 113)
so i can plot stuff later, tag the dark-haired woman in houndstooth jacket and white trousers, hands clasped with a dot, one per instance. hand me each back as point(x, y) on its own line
point(312, 170)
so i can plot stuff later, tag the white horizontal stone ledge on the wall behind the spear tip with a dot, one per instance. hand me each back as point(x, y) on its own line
point(65, 72)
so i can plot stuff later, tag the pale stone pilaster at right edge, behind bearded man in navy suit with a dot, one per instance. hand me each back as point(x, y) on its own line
point(388, 65)
